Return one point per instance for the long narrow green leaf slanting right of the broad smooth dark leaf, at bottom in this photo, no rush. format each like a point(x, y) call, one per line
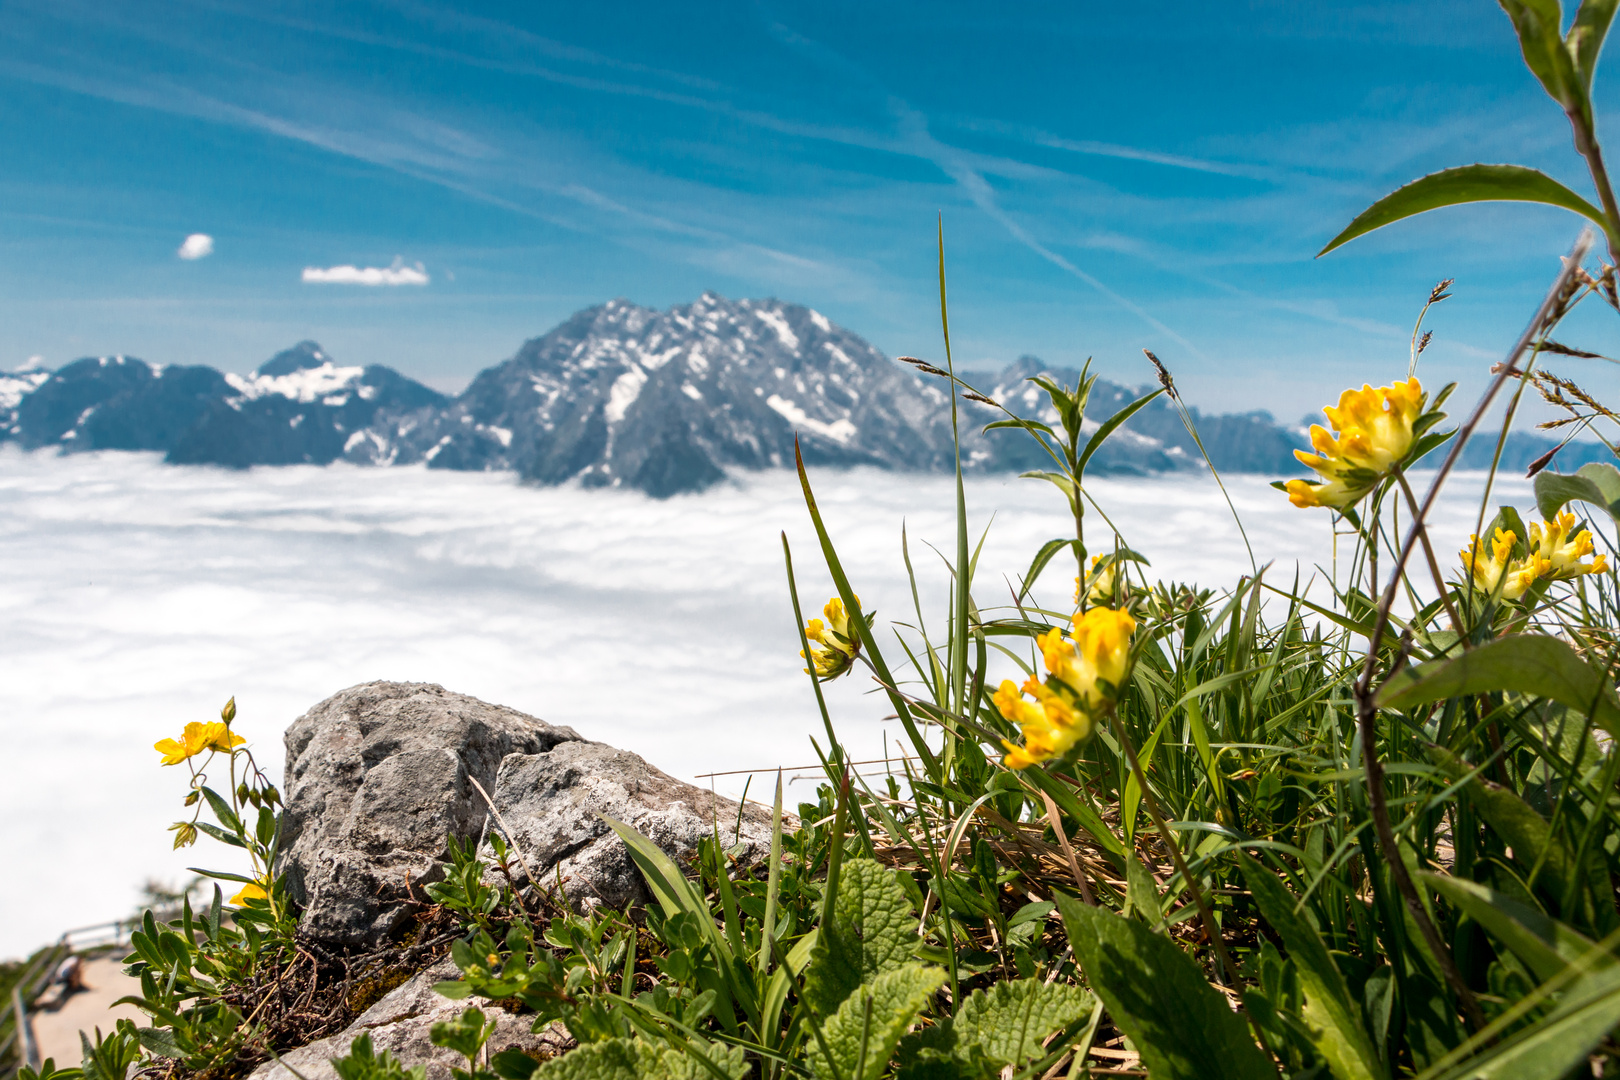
point(1331, 1014)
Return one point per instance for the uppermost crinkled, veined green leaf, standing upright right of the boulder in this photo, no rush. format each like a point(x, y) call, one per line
point(872, 930)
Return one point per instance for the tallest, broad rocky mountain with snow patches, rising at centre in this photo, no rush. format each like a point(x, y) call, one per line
point(667, 401)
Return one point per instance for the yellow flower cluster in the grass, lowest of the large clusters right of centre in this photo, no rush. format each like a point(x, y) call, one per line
point(1081, 679)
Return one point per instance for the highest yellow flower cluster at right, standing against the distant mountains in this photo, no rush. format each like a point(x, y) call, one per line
point(1375, 433)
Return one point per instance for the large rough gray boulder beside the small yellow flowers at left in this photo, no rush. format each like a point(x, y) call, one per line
point(382, 775)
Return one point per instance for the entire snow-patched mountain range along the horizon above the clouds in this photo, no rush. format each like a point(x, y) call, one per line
point(663, 402)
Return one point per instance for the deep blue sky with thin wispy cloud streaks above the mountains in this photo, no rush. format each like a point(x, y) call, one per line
point(1112, 177)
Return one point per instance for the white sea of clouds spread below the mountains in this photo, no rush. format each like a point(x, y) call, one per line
point(139, 597)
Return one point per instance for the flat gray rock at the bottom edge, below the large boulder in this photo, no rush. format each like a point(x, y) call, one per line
point(403, 1026)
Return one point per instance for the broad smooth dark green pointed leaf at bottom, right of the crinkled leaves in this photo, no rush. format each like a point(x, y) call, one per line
point(1159, 998)
